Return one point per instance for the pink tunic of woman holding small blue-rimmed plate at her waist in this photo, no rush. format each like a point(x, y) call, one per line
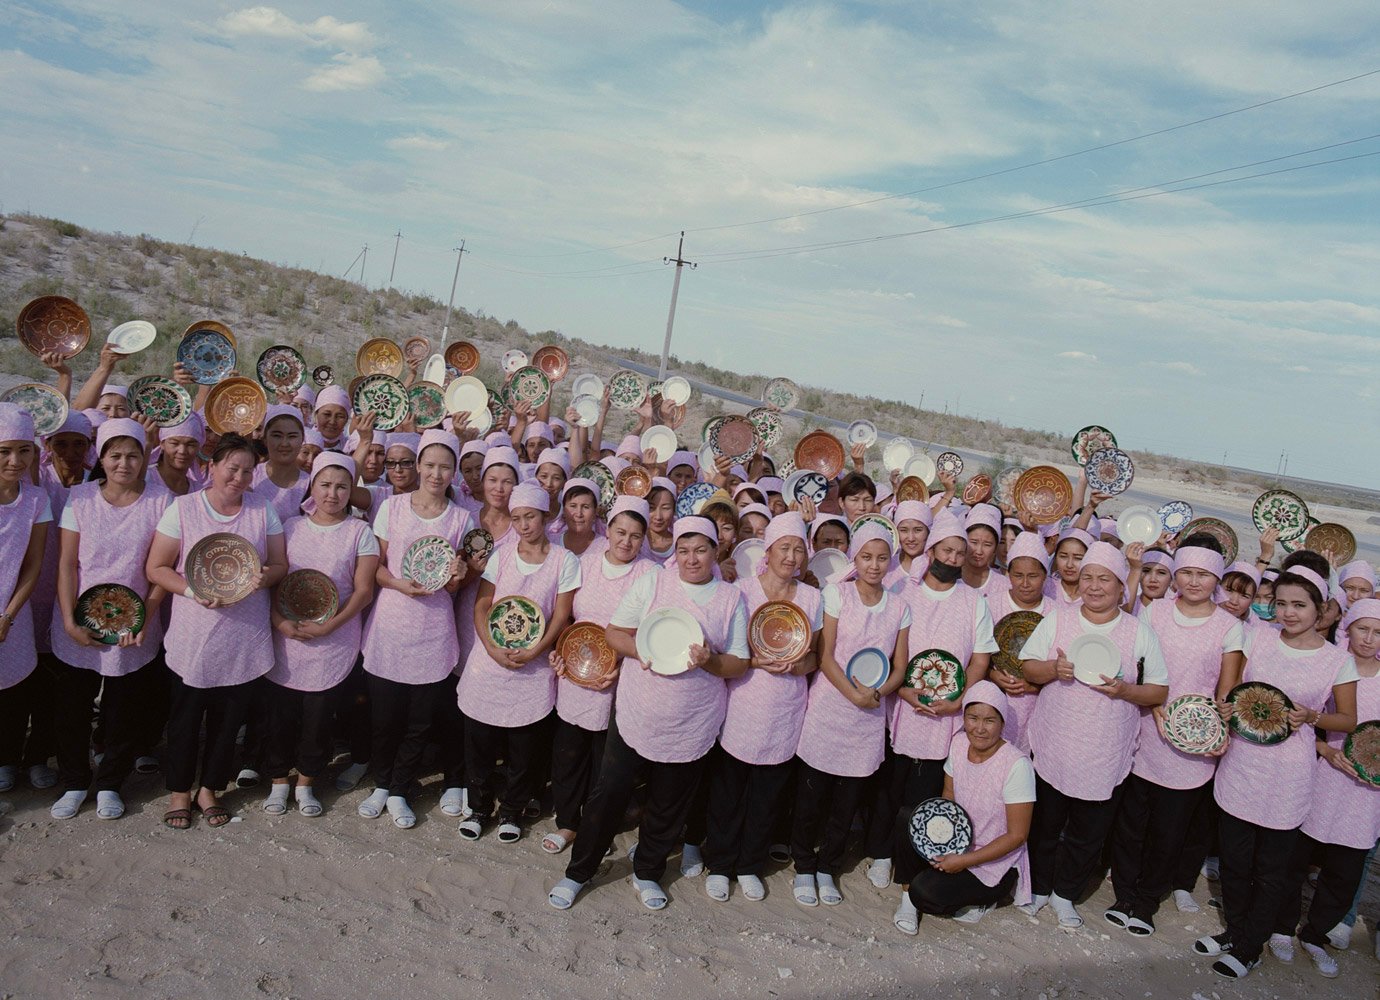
point(840, 737)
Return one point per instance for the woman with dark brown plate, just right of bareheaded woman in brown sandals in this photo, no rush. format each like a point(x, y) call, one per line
point(314, 659)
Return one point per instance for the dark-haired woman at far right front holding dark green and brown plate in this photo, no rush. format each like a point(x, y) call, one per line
point(1266, 791)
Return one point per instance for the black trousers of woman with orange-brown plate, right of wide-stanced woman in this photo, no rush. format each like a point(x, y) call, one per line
point(742, 812)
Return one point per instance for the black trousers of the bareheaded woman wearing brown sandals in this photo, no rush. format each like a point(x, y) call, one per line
point(223, 710)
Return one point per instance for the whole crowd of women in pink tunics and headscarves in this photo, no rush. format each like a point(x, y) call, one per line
point(733, 761)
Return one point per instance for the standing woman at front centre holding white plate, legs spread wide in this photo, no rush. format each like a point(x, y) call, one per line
point(666, 725)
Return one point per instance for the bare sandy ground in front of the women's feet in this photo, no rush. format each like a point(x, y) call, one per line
point(343, 907)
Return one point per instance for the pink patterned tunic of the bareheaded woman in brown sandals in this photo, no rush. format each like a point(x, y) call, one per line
point(220, 648)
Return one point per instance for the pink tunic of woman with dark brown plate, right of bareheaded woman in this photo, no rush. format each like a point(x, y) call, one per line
point(321, 664)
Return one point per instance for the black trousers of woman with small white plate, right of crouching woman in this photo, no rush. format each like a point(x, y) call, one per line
point(1067, 838)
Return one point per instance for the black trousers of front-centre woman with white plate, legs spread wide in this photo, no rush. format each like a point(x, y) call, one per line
point(670, 790)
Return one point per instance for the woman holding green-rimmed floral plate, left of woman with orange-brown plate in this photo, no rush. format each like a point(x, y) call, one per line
point(507, 694)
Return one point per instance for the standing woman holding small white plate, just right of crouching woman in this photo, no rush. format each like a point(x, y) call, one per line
point(1084, 736)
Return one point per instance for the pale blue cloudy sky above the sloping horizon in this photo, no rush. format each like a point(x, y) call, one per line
point(569, 143)
